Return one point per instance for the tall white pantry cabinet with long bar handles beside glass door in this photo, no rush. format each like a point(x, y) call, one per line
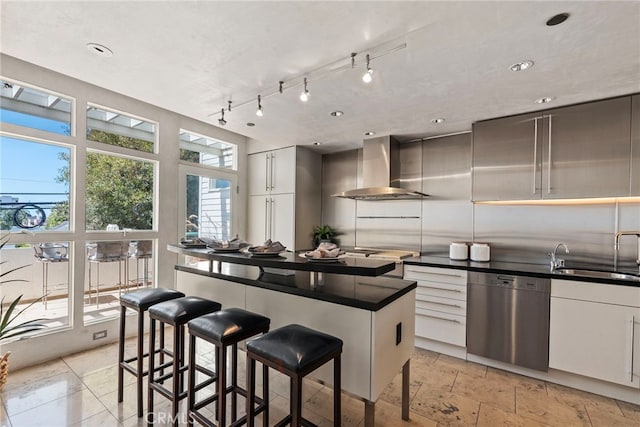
point(284, 196)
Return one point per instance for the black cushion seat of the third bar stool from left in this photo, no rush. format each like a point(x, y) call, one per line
point(229, 325)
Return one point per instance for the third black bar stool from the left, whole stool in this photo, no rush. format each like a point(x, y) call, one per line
point(223, 329)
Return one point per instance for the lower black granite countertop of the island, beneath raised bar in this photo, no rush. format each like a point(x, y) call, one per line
point(367, 293)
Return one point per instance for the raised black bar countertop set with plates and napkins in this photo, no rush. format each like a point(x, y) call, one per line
point(292, 261)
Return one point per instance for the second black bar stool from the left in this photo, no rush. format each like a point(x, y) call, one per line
point(177, 313)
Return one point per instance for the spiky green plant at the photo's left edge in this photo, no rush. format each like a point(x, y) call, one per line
point(8, 316)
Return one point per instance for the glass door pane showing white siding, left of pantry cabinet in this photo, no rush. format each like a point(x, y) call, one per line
point(208, 208)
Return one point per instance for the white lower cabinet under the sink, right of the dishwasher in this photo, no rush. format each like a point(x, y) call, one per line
point(595, 331)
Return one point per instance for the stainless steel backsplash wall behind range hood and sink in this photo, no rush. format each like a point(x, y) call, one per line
point(518, 233)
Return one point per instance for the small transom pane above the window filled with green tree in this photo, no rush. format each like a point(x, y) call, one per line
point(113, 128)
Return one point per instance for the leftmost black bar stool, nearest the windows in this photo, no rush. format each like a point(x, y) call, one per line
point(140, 301)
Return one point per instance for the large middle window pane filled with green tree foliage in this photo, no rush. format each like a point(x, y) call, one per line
point(119, 192)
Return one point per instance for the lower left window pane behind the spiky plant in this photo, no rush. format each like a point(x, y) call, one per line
point(43, 283)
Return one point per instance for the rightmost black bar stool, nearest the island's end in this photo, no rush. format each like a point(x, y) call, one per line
point(295, 351)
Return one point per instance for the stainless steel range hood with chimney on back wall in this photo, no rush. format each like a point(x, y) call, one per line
point(381, 173)
